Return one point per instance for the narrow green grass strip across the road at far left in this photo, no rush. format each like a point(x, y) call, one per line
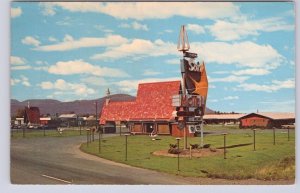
point(30, 133)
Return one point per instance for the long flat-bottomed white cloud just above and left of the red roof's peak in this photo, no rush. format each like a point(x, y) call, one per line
point(82, 67)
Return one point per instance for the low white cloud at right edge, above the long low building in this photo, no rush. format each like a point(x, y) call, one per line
point(274, 86)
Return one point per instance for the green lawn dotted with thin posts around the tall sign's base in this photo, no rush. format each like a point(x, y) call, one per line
point(269, 162)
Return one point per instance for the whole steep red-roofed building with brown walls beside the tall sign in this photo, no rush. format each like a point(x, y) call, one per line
point(150, 113)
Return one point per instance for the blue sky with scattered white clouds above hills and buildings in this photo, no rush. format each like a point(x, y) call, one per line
point(70, 51)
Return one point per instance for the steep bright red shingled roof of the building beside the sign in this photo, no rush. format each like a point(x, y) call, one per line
point(154, 101)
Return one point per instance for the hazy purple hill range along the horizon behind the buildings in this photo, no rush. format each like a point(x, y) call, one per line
point(80, 107)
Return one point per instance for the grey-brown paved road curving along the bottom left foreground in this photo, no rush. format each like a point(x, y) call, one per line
point(54, 160)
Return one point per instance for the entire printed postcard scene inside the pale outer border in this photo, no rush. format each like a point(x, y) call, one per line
point(152, 93)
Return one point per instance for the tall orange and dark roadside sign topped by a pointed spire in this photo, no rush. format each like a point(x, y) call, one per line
point(192, 100)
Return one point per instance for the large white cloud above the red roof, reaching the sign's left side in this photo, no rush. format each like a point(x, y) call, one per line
point(139, 48)
